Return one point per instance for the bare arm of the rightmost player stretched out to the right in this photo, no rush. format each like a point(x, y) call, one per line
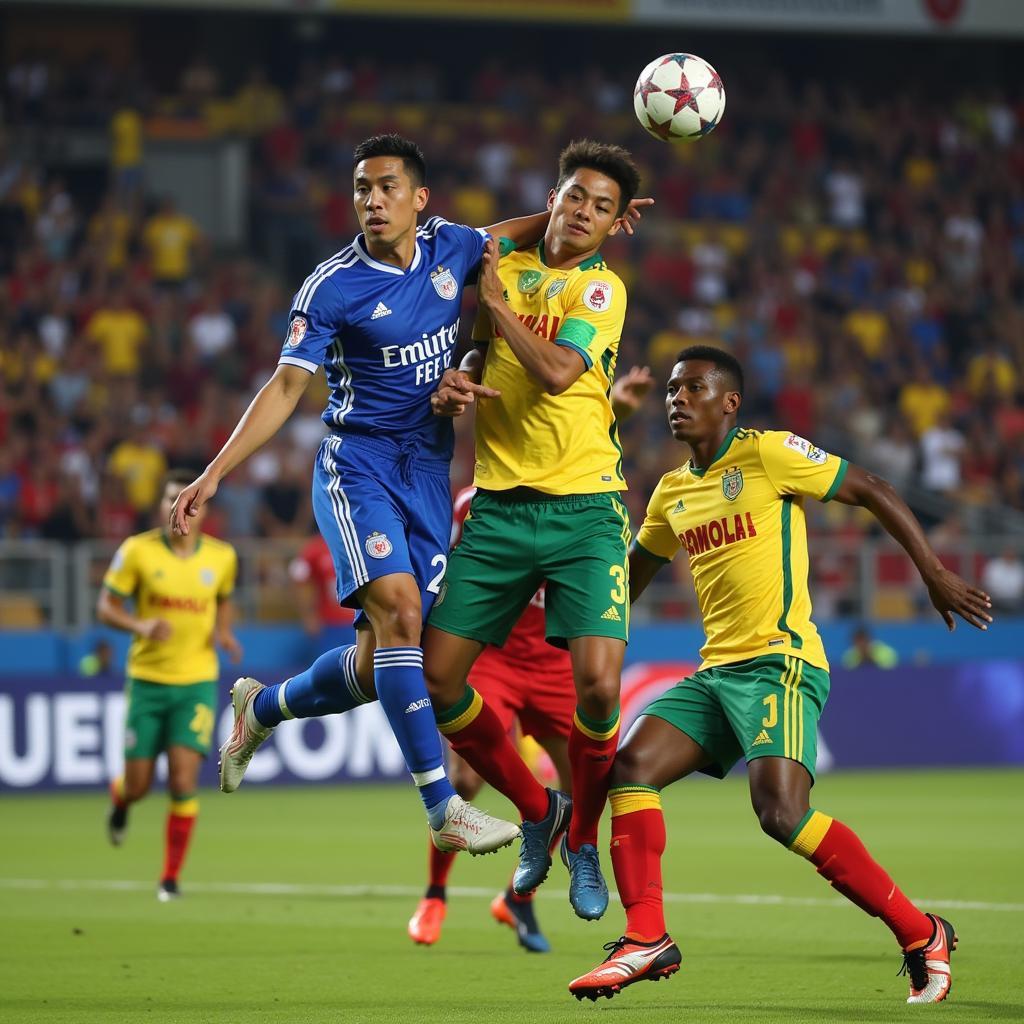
point(949, 592)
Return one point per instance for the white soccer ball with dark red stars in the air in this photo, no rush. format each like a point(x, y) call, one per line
point(679, 97)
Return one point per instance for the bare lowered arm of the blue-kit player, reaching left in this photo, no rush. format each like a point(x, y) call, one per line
point(267, 414)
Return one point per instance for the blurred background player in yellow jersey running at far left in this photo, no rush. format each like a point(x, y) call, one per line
point(182, 590)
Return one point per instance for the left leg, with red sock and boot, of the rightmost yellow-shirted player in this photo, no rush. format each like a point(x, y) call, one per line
point(656, 755)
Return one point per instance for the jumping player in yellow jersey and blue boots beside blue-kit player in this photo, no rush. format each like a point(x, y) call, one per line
point(548, 476)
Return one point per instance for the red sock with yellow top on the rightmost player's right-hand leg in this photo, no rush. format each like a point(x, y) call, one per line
point(842, 860)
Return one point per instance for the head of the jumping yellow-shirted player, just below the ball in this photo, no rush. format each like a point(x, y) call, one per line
point(596, 184)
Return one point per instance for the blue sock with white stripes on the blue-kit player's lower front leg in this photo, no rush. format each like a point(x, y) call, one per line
point(403, 694)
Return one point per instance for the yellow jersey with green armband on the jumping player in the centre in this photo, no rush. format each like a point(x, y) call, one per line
point(566, 444)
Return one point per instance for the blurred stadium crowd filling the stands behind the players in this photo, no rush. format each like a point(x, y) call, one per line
point(872, 282)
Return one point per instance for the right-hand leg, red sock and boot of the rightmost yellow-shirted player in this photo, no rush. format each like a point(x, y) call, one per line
point(781, 795)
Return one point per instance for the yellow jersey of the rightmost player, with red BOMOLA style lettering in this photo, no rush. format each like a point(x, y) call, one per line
point(741, 521)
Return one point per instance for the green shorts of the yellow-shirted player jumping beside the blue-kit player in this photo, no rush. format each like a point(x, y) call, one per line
point(515, 541)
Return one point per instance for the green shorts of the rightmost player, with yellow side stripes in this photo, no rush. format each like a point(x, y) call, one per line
point(765, 708)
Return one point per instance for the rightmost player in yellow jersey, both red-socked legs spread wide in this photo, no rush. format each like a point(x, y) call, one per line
point(737, 508)
